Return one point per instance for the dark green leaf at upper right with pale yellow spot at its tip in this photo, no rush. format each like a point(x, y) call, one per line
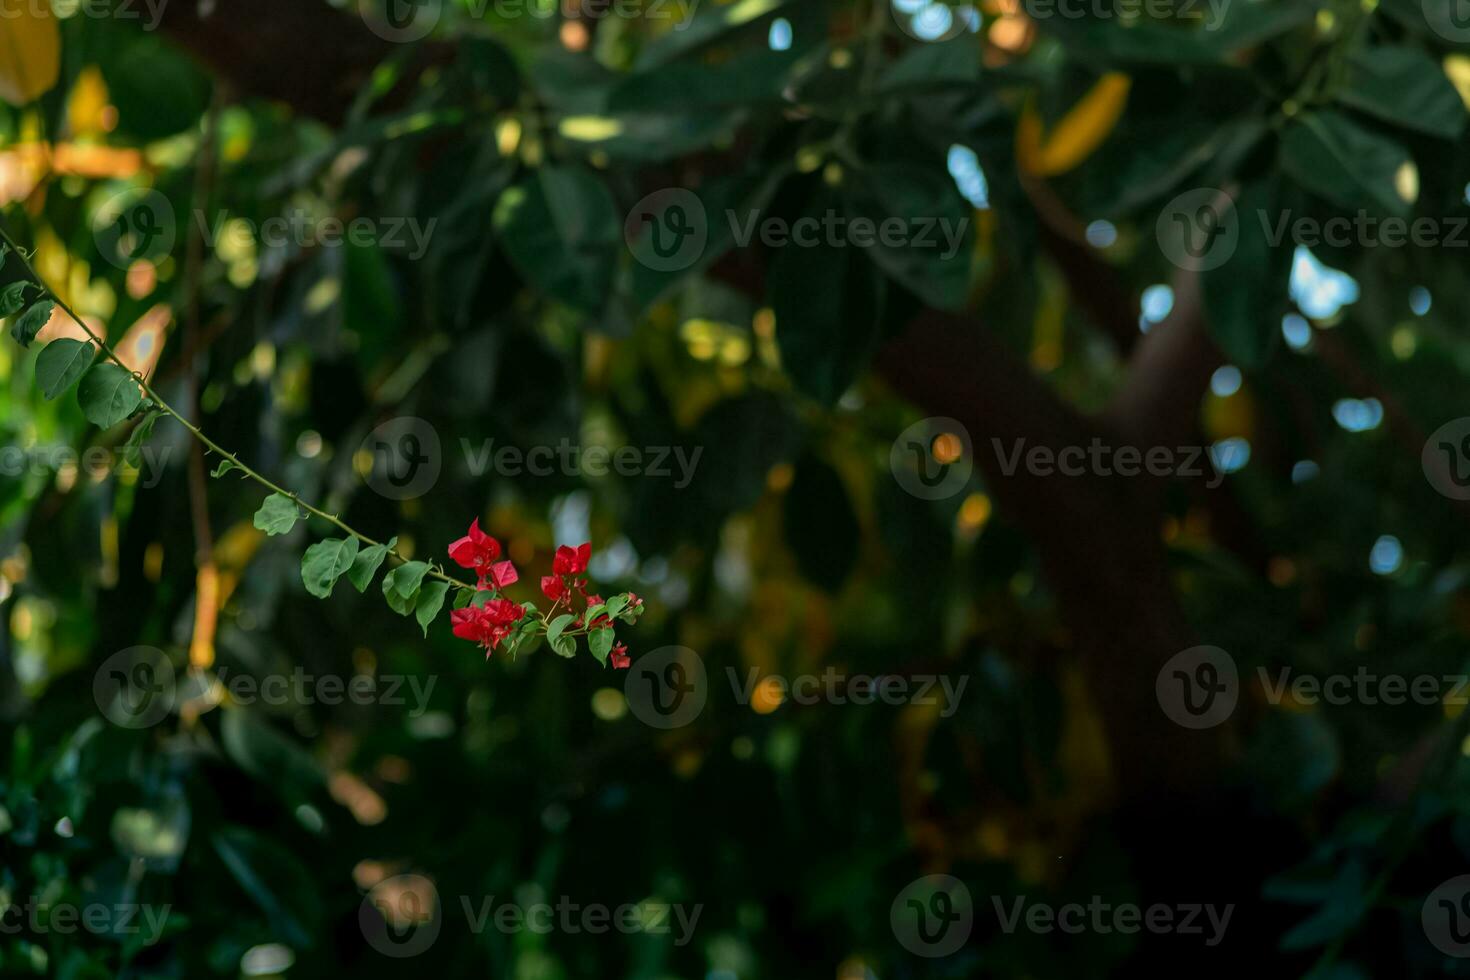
point(1338, 159)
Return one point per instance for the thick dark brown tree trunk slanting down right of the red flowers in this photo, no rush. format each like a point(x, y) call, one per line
point(1100, 546)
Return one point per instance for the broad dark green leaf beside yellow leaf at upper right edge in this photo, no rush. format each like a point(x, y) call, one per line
point(1406, 87)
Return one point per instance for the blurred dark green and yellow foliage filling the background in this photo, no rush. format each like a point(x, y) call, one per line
point(528, 323)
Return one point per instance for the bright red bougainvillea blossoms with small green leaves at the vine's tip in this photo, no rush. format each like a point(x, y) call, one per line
point(499, 624)
